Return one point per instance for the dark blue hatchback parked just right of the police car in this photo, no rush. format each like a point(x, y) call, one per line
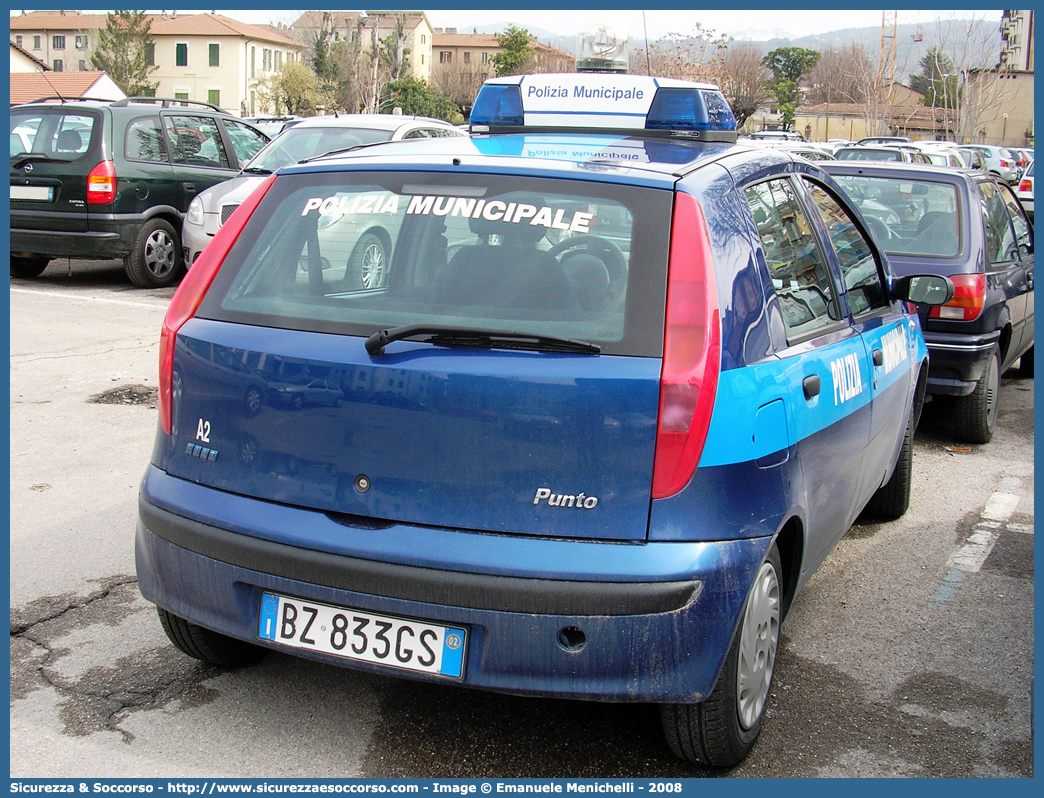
point(969, 226)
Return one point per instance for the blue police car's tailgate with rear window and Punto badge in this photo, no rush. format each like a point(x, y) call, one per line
point(277, 396)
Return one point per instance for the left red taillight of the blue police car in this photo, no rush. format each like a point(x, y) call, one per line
point(192, 292)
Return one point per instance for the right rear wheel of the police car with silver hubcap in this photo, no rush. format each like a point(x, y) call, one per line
point(713, 732)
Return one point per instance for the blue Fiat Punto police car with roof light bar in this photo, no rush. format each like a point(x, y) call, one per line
point(624, 389)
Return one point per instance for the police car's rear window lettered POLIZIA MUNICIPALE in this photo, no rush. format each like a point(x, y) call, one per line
point(357, 252)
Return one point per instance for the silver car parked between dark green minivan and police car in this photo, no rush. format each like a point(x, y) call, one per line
point(311, 138)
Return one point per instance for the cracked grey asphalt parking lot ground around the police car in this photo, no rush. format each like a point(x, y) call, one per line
point(910, 653)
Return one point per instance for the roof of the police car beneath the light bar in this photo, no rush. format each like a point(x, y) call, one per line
point(608, 157)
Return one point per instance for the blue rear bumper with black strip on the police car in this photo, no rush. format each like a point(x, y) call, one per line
point(658, 618)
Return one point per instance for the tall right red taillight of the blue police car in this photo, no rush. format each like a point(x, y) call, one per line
point(692, 351)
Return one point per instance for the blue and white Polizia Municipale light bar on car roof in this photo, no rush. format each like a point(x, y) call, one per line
point(604, 103)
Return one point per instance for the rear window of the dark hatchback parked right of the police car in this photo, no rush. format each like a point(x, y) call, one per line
point(909, 217)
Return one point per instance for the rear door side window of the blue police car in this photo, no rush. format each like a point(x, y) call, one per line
point(799, 274)
